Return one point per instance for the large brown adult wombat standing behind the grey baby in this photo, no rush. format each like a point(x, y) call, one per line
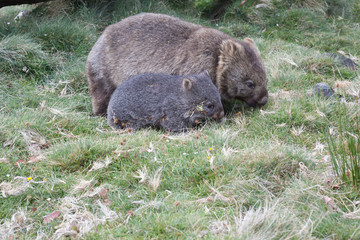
point(159, 43)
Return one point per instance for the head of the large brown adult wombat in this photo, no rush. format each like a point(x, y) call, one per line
point(241, 73)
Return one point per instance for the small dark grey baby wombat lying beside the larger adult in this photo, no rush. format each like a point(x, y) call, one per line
point(173, 103)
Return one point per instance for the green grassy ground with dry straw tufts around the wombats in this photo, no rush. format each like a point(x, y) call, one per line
point(261, 174)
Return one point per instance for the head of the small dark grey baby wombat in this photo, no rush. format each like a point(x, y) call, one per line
point(203, 98)
